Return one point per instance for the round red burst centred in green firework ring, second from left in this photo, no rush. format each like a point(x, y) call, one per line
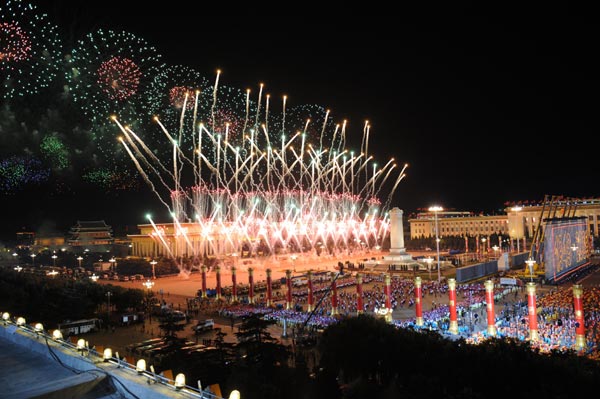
point(119, 78)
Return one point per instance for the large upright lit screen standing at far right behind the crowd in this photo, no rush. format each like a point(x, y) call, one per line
point(564, 246)
